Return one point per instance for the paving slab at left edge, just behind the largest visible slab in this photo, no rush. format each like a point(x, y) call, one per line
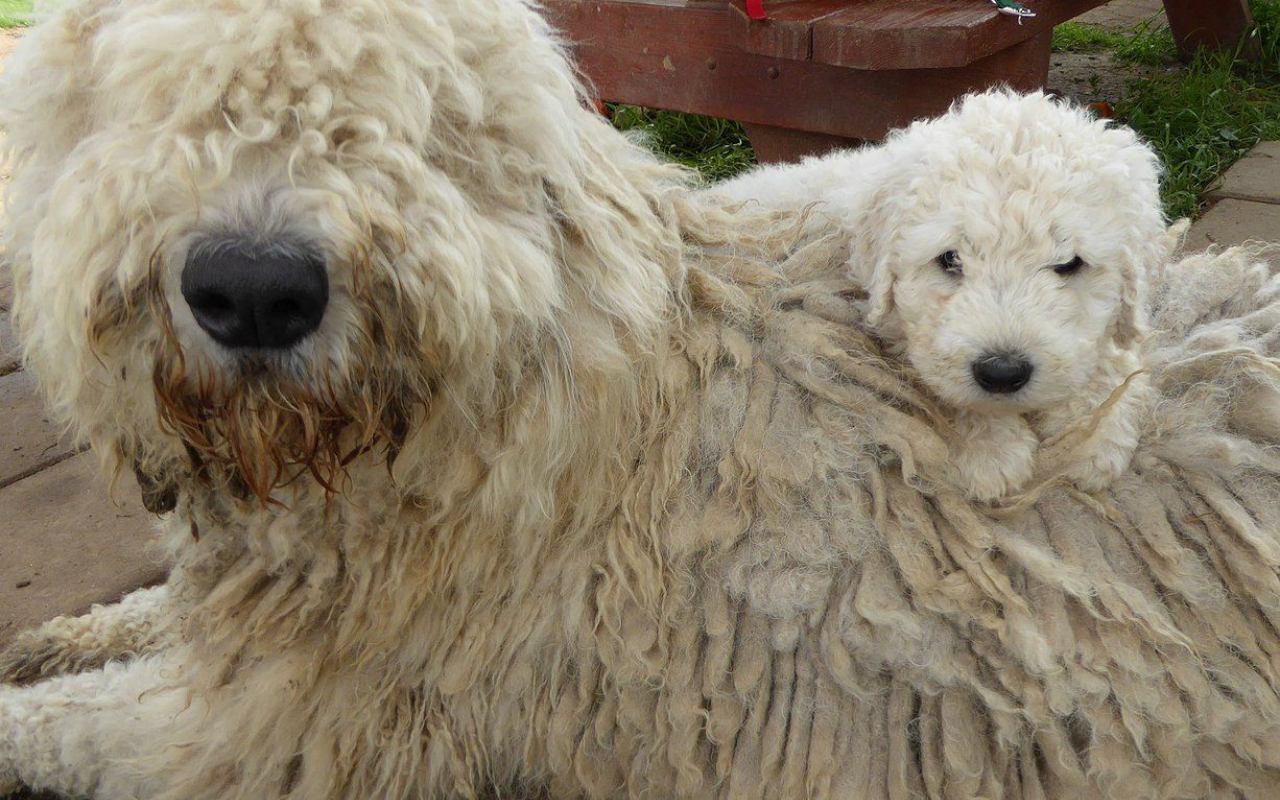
point(29, 438)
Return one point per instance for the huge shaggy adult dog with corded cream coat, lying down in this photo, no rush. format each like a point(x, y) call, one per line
point(493, 461)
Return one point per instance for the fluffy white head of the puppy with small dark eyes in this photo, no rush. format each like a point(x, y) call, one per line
point(1008, 248)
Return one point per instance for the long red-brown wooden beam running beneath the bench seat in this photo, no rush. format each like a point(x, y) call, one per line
point(641, 54)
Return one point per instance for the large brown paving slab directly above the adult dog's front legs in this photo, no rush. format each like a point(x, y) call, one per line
point(67, 546)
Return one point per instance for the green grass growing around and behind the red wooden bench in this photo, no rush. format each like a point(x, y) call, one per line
point(1201, 120)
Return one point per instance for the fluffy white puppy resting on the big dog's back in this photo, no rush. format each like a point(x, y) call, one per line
point(1004, 249)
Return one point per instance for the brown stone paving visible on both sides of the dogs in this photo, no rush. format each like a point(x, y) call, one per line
point(65, 545)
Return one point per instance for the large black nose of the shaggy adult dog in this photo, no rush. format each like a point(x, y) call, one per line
point(245, 299)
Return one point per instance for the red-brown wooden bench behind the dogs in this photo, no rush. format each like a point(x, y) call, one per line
point(822, 74)
